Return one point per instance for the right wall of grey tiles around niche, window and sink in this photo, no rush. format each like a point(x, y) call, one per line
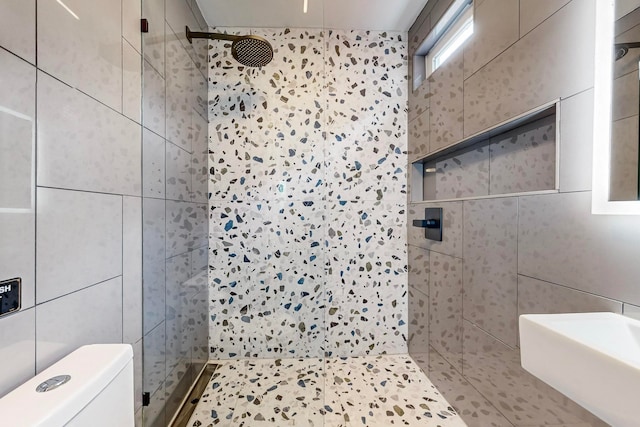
point(505, 256)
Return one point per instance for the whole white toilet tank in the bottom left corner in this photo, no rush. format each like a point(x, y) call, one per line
point(98, 394)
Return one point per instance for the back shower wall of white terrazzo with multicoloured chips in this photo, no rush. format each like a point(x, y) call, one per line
point(308, 196)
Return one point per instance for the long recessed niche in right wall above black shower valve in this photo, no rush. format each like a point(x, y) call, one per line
point(514, 157)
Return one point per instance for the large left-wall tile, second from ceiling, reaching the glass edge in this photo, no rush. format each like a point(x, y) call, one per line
point(83, 145)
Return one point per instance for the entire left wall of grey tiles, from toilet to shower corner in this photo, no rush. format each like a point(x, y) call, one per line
point(76, 178)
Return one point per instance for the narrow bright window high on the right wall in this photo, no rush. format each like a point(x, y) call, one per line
point(448, 35)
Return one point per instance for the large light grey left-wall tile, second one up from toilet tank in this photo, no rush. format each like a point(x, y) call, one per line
point(79, 241)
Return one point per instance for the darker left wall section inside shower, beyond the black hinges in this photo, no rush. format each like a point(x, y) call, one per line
point(175, 246)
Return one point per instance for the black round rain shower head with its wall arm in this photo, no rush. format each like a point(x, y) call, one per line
point(252, 51)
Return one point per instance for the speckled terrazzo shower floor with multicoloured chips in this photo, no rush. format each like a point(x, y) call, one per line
point(372, 391)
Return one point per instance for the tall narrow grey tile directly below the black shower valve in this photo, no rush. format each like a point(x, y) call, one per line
point(445, 308)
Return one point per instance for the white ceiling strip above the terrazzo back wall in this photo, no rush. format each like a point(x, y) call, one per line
point(389, 15)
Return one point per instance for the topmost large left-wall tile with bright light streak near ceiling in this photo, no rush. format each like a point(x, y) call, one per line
point(88, 54)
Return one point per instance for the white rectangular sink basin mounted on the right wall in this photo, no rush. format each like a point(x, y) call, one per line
point(593, 358)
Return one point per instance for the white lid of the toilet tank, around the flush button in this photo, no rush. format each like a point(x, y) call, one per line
point(91, 367)
